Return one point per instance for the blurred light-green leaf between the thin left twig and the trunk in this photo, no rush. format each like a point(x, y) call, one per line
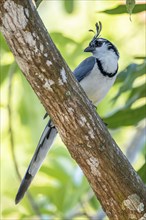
point(30, 115)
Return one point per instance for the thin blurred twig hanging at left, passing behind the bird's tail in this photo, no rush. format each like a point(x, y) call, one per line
point(10, 127)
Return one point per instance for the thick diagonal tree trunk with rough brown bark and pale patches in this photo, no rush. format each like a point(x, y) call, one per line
point(117, 186)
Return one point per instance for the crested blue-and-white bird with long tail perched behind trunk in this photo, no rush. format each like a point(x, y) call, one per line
point(96, 75)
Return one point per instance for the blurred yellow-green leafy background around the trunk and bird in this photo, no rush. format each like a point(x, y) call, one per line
point(60, 190)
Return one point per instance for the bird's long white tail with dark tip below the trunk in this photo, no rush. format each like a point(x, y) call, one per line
point(44, 145)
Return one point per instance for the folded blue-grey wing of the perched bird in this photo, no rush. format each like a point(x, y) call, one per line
point(84, 68)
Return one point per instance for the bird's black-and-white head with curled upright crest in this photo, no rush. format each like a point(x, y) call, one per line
point(101, 47)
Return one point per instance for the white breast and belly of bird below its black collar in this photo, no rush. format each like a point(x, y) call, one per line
point(97, 85)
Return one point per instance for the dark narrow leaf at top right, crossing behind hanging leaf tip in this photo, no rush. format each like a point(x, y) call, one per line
point(122, 9)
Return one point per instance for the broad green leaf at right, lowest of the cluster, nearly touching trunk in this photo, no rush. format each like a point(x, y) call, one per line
point(125, 117)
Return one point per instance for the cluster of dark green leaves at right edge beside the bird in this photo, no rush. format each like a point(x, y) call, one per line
point(126, 115)
